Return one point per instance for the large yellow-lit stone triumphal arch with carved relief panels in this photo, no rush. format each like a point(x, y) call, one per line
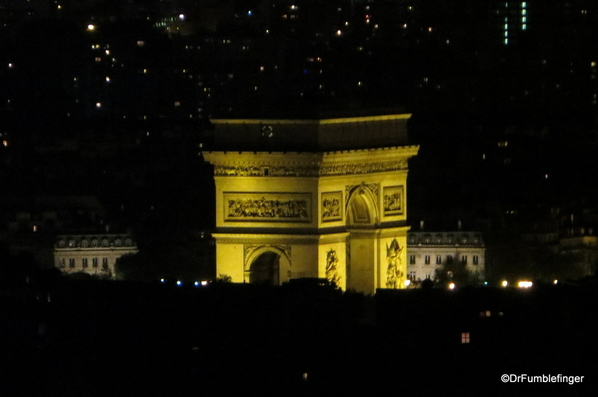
point(336, 209)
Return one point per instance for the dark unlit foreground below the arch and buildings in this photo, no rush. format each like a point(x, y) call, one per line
point(111, 338)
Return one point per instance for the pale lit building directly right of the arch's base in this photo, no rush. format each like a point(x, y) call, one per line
point(428, 251)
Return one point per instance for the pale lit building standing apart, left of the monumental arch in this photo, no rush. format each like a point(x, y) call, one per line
point(92, 254)
